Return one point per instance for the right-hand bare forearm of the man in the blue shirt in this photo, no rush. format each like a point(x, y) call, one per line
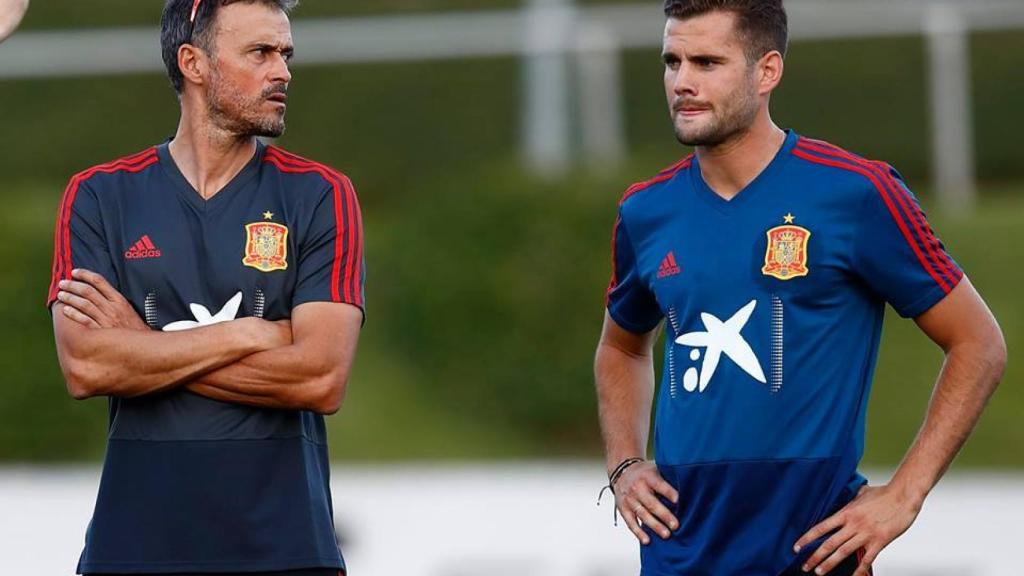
point(968, 380)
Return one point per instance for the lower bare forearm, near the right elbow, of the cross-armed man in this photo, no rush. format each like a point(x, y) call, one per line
point(293, 378)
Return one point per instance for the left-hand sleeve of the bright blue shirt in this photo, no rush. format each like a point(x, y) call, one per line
point(630, 302)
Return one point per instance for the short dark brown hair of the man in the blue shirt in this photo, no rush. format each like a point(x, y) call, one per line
point(762, 24)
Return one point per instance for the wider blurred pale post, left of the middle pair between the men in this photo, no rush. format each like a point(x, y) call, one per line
point(546, 119)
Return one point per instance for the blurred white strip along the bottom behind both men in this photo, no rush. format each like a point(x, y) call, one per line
point(535, 519)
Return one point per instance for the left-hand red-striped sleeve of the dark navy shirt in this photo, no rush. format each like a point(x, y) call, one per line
point(79, 238)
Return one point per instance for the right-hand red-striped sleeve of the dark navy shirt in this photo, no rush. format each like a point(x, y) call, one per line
point(330, 257)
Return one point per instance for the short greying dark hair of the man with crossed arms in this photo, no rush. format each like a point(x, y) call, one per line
point(177, 29)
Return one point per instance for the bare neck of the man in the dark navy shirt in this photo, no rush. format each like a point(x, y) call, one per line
point(208, 156)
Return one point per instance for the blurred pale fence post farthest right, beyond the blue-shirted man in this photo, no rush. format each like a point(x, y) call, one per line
point(953, 127)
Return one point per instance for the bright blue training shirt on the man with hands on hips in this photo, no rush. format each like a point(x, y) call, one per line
point(774, 305)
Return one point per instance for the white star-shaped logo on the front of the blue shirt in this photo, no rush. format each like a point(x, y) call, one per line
point(724, 338)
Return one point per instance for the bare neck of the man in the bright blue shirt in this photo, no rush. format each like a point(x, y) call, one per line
point(731, 167)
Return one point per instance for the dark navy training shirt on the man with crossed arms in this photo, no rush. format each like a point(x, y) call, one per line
point(192, 484)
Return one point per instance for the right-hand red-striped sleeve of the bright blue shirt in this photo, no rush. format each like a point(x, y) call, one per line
point(898, 254)
